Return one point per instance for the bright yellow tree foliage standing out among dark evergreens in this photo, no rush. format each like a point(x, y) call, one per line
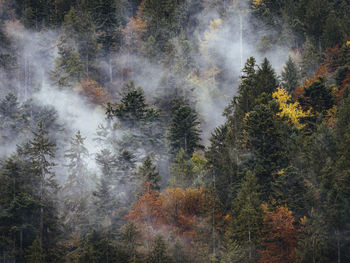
point(292, 111)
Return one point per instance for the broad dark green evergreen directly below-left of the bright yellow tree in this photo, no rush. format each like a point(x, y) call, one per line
point(267, 140)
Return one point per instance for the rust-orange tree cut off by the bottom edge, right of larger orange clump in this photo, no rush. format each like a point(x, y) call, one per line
point(279, 236)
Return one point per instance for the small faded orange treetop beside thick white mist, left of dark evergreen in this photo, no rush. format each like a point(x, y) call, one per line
point(91, 90)
